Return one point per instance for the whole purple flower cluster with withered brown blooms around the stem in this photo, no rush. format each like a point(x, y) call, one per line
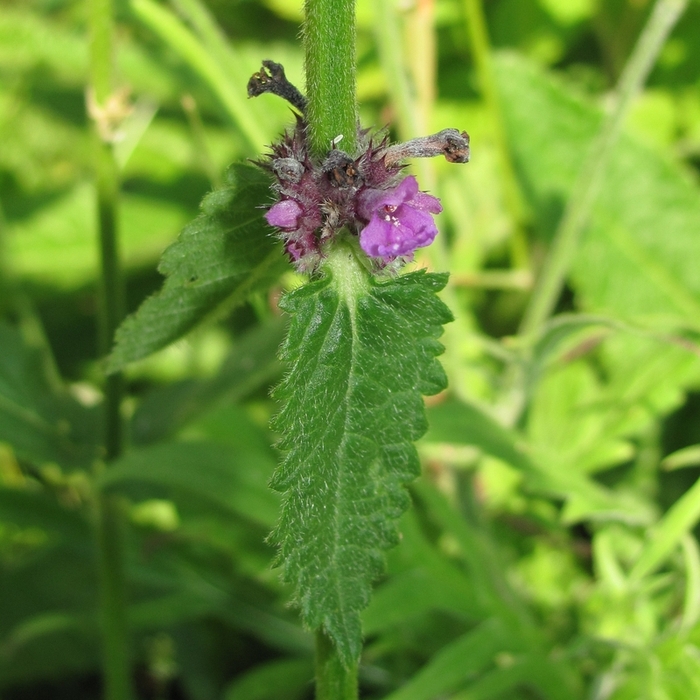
point(365, 193)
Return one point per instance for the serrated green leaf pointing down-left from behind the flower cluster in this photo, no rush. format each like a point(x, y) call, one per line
point(226, 253)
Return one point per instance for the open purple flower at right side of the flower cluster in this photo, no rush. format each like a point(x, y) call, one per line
point(400, 219)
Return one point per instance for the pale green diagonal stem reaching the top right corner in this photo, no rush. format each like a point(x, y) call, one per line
point(663, 17)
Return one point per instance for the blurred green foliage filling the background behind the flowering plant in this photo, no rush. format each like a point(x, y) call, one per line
point(550, 553)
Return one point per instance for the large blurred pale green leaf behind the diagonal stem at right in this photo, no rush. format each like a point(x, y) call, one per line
point(638, 258)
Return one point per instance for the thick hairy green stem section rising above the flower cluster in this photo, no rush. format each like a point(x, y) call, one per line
point(329, 46)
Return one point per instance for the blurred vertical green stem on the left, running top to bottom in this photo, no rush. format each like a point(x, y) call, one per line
point(113, 608)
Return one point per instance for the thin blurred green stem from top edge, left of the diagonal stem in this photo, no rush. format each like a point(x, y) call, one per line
point(512, 193)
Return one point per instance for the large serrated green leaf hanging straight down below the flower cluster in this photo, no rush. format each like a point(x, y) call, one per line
point(361, 353)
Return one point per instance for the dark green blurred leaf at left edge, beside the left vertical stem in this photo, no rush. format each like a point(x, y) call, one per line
point(38, 418)
